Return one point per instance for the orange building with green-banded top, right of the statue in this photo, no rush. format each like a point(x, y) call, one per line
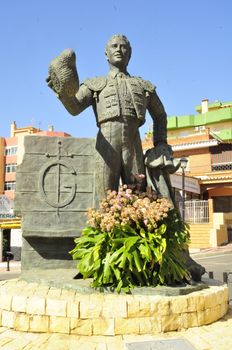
point(205, 139)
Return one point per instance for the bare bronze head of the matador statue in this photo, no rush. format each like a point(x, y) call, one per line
point(118, 51)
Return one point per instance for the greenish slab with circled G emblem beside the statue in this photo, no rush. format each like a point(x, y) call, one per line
point(55, 187)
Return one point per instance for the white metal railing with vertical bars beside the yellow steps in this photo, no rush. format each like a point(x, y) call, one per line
point(196, 211)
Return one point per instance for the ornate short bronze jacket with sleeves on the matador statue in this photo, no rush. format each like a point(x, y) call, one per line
point(119, 96)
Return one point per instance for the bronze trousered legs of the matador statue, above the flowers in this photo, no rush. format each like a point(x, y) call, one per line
point(119, 154)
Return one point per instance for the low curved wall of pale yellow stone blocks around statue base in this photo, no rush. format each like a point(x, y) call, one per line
point(32, 307)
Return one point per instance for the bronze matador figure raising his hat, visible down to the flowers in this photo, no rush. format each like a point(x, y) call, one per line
point(119, 101)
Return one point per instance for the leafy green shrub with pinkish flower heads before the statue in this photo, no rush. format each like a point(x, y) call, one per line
point(134, 239)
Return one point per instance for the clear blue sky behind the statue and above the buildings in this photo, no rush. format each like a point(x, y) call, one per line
point(182, 46)
